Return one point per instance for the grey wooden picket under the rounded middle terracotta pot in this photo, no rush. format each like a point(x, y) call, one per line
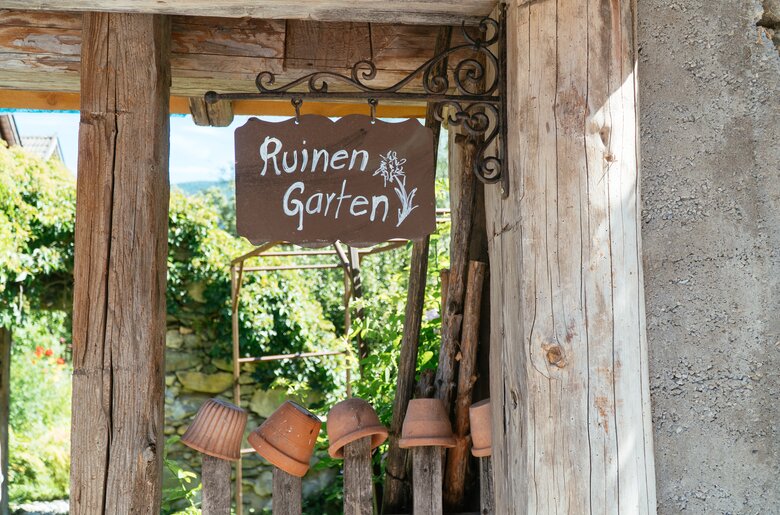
point(358, 488)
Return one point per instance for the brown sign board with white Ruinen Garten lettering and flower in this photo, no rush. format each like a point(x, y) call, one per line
point(321, 180)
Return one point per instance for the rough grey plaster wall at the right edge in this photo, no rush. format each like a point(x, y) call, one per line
point(709, 100)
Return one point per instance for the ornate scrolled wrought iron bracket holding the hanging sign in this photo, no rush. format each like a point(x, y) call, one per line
point(477, 102)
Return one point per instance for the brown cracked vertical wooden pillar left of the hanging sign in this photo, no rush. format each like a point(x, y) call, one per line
point(120, 265)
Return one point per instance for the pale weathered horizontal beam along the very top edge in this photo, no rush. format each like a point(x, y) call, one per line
point(433, 12)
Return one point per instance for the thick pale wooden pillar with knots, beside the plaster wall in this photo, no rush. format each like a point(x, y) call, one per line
point(569, 376)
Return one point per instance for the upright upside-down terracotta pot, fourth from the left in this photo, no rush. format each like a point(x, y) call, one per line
point(426, 424)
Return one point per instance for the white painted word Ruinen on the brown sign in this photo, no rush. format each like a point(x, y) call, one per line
point(272, 156)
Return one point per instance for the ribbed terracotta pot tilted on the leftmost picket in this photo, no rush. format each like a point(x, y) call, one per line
point(217, 430)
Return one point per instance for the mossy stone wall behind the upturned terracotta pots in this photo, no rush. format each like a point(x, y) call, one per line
point(191, 378)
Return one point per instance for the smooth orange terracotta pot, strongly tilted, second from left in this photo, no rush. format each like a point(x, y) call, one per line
point(287, 438)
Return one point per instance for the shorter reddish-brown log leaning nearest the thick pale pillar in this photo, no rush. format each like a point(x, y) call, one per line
point(458, 456)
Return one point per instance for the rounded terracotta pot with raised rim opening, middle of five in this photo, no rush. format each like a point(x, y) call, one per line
point(350, 420)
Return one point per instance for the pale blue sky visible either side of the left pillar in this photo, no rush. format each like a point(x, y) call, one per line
point(197, 153)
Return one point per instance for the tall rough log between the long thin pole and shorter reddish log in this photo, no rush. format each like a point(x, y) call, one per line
point(462, 179)
